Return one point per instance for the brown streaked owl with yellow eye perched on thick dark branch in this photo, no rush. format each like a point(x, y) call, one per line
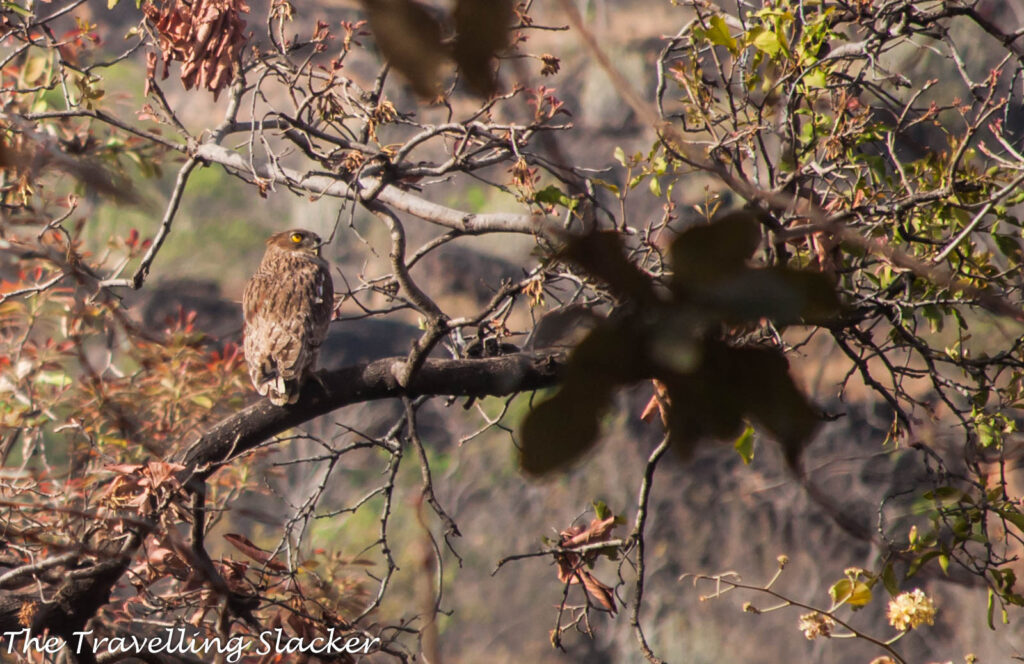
point(288, 306)
